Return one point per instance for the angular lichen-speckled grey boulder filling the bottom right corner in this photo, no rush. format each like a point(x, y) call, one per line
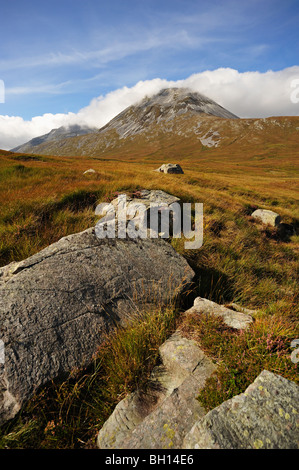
point(264, 417)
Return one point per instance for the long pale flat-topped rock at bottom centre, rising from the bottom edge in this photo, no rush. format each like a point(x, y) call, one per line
point(161, 417)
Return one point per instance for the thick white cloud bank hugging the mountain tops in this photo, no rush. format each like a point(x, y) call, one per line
point(247, 94)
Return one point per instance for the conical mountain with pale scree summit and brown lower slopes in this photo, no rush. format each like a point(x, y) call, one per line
point(175, 123)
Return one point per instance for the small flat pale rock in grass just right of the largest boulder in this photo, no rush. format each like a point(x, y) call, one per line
point(232, 318)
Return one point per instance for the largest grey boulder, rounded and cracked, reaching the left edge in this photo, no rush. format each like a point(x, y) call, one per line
point(56, 305)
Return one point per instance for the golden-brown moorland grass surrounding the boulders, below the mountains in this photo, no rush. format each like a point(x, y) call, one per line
point(45, 198)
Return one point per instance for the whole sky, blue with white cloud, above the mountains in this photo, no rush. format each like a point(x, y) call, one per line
point(72, 61)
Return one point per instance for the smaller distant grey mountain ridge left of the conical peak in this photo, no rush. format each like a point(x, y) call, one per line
point(55, 135)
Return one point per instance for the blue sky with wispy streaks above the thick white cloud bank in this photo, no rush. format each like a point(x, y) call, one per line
point(56, 56)
